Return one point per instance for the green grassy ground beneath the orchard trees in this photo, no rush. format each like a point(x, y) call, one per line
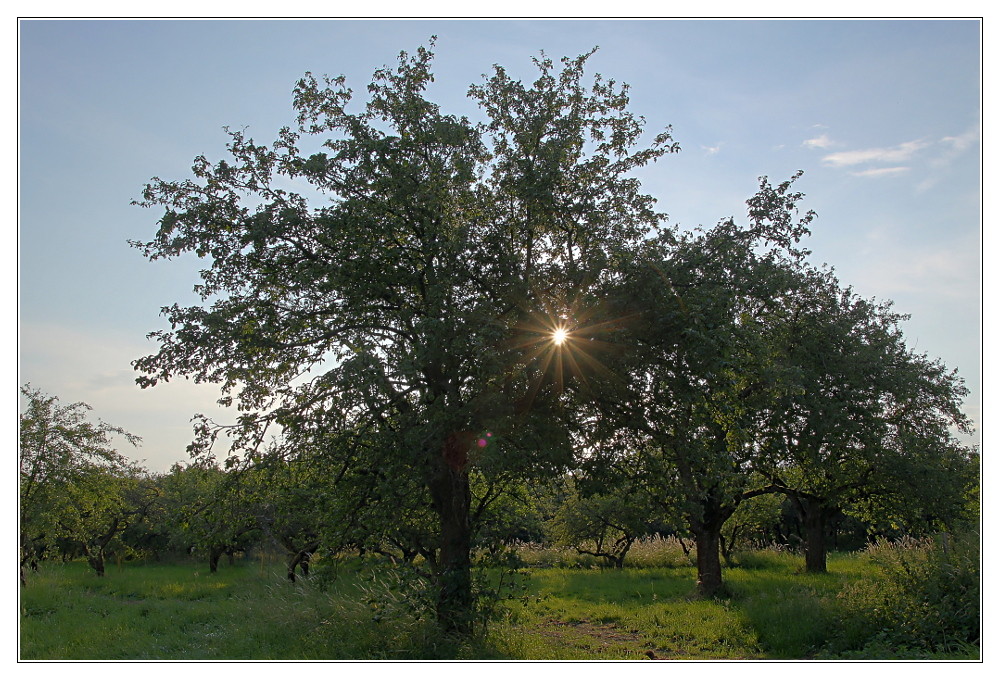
point(247, 611)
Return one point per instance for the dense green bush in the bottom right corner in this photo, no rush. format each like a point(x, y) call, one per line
point(922, 599)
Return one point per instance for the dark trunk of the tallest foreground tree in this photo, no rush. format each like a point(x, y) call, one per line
point(449, 487)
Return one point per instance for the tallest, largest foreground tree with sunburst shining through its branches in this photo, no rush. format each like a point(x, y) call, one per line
point(425, 291)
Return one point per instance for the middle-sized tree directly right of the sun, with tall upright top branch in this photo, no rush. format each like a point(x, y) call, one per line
point(702, 366)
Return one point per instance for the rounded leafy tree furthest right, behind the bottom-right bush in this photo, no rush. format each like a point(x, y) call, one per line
point(870, 423)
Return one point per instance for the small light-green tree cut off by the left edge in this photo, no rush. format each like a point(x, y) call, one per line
point(73, 482)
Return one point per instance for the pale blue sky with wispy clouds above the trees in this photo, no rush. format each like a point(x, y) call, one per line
point(883, 117)
